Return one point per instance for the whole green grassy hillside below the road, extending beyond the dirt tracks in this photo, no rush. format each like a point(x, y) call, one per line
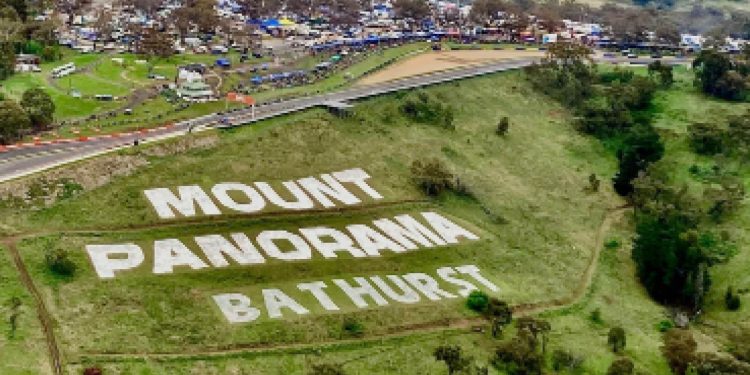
point(542, 237)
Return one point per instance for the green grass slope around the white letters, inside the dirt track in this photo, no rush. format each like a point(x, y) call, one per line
point(533, 178)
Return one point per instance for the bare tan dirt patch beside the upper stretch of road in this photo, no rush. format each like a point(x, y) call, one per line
point(442, 60)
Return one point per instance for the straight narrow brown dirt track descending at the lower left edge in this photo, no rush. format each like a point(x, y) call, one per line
point(41, 308)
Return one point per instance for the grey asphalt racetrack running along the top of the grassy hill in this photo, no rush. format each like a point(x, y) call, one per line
point(19, 162)
